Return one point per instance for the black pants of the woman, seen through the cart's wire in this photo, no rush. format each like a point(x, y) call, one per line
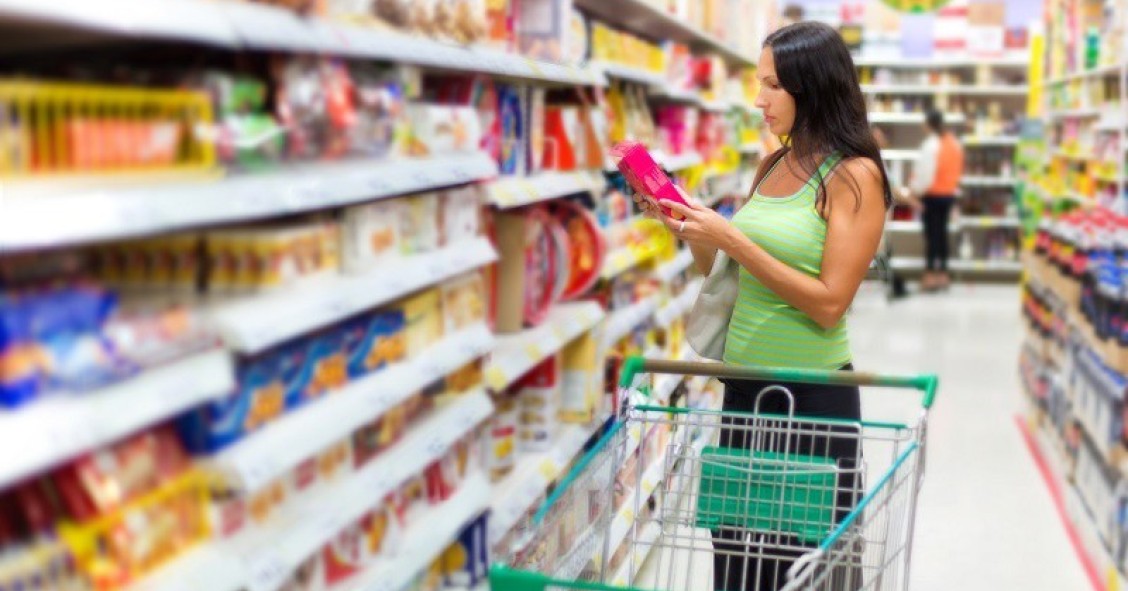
point(736, 567)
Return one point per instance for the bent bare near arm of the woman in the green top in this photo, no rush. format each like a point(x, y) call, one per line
point(853, 235)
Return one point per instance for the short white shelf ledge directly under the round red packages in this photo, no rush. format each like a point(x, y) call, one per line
point(518, 354)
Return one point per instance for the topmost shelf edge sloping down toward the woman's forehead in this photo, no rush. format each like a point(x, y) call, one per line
point(646, 20)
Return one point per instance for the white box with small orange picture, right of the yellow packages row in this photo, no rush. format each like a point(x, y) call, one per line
point(371, 235)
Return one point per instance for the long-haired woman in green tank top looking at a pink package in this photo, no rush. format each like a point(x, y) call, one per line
point(805, 243)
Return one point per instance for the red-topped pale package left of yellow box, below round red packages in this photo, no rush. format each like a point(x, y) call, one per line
point(539, 395)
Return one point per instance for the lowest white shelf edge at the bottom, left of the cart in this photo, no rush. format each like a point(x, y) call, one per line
point(426, 543)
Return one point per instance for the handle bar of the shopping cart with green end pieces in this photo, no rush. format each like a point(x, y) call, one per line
point(634, 366)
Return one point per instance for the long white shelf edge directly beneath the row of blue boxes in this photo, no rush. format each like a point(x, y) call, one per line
point(266, 455)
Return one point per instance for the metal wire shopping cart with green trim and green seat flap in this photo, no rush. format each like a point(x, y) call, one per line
point(763, 501)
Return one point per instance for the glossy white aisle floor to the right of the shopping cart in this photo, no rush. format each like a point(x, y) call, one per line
point(986, 521)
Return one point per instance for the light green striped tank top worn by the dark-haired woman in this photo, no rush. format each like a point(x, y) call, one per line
point(766, 331)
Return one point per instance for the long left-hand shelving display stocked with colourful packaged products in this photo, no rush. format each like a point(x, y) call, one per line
point(320, 225)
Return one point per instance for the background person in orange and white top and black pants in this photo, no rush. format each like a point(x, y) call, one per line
point(936, 181)
